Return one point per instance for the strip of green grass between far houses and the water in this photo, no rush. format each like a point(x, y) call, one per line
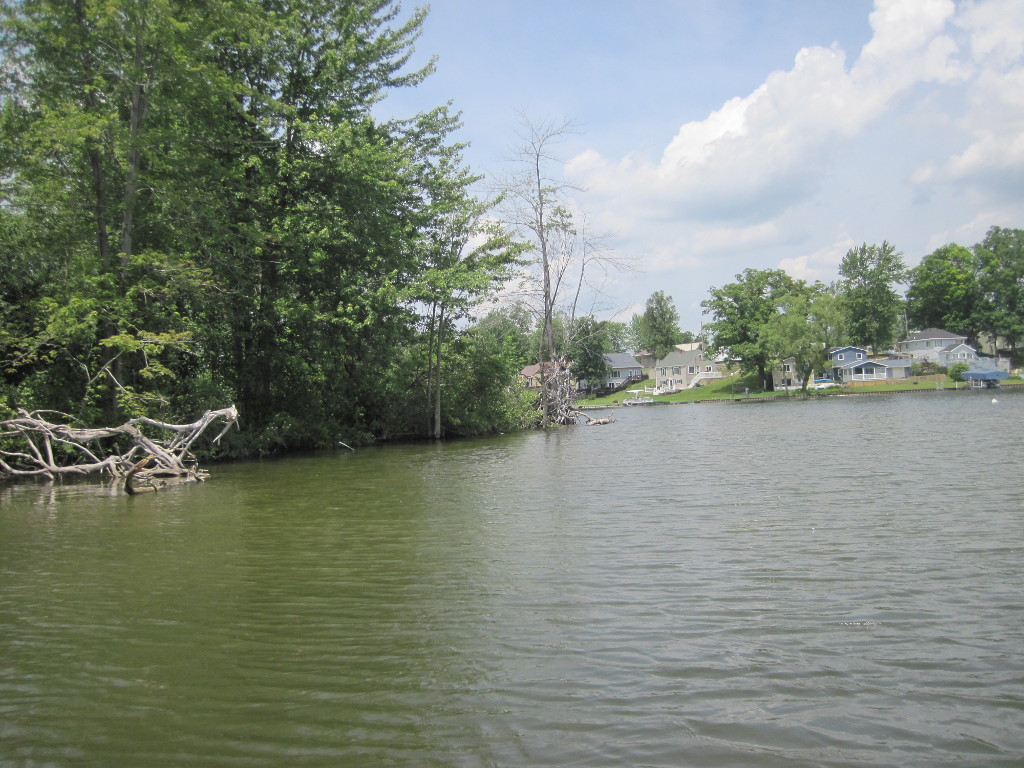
point(740, 388)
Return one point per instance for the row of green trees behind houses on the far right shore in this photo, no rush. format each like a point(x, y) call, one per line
point(766, 316)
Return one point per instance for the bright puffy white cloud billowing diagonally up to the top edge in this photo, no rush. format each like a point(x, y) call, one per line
point(759, 155)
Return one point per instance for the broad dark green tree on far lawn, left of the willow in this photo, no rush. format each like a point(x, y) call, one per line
point(741, 313)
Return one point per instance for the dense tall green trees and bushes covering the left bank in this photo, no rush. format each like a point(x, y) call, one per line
point(200, 208)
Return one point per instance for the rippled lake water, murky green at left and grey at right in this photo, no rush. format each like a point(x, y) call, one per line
point(835, 583)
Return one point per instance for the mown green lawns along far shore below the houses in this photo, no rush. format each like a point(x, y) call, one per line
point(733, 388)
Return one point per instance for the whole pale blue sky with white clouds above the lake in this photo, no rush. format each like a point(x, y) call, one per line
point(715, 136)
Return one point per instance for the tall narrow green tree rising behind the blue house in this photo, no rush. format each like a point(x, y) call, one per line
point(873, 306)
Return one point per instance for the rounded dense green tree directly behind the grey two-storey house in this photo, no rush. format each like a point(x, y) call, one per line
point(944, 291)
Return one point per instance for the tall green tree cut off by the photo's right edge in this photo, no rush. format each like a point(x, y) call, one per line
point(1000, 264)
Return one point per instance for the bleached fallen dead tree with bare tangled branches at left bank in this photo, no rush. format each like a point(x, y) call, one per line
point(32, 446)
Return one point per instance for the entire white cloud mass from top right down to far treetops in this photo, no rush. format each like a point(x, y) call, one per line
point(922, 131)
